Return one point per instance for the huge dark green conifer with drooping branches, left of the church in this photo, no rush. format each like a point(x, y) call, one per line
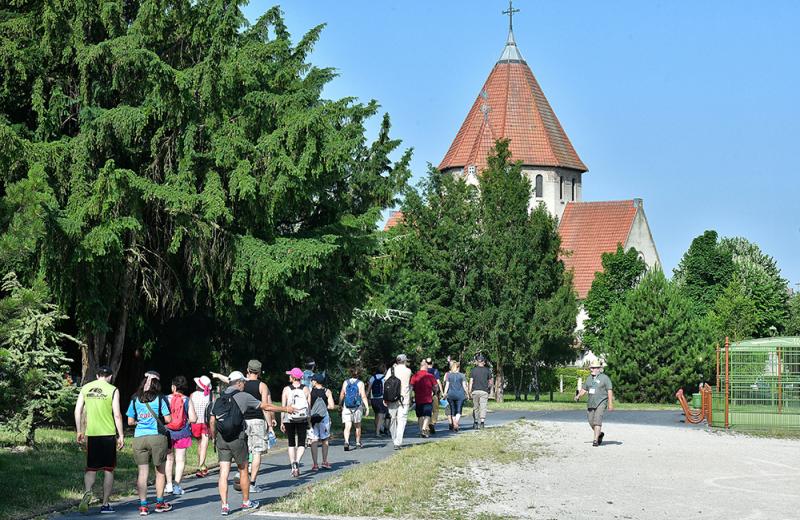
point(164, 164)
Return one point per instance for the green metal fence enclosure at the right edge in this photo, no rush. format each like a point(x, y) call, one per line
point(758, 385)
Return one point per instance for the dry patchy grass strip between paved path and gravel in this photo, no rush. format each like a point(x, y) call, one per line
point(415, 476)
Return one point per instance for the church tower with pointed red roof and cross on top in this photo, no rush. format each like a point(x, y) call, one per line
point(511, 105)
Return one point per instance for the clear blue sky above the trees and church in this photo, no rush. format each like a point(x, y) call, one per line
point(692, 106)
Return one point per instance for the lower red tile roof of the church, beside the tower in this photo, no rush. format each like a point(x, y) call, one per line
point(589, 229)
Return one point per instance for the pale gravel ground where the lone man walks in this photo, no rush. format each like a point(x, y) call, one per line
point(644, 472)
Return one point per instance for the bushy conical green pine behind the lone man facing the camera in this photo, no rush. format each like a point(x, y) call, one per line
point(656, 342)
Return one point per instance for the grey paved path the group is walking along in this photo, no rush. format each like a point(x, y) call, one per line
point(202, 500)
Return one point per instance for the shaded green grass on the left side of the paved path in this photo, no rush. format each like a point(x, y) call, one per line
point(50, 477)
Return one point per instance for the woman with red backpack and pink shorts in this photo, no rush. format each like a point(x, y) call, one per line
point(180, 432)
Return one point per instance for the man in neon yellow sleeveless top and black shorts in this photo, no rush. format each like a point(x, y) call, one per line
point(103, 435)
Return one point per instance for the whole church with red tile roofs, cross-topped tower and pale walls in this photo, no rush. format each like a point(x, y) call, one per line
point(511, 104)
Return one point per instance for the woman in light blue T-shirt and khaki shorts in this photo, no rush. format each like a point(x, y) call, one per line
point(149, 412)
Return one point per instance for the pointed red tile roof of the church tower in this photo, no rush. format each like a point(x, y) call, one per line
point(512, 105)
